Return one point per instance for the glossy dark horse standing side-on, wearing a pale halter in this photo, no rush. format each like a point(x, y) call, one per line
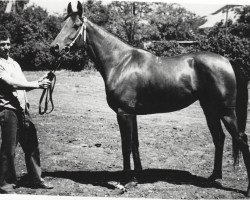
point(138, 82)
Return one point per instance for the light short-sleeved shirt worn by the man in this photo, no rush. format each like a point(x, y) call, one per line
point(10, 97)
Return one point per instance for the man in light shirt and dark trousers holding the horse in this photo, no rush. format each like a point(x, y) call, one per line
point(15, 122)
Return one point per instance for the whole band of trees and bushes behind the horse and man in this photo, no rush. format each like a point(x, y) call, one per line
point(158, 25)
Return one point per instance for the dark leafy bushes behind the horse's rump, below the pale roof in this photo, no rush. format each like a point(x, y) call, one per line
point(234, 45)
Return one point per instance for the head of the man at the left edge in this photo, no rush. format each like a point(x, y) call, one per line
point(4, 42)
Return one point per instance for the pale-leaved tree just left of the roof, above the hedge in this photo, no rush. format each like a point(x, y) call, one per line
point(174, 22)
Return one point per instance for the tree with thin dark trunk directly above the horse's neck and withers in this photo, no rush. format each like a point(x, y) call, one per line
point(128, 20)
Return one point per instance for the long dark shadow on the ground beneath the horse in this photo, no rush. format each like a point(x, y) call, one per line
point(102, 178)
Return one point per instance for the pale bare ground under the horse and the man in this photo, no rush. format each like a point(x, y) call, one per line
point(81, 148)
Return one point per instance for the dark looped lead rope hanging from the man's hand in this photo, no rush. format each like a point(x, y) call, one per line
point(48, 92)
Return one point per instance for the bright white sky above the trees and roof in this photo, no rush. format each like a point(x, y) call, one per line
point(201, 9)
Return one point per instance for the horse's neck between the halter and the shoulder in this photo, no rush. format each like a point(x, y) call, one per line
point(106, 50)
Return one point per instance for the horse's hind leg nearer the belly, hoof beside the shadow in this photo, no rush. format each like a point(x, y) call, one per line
point(214, 125)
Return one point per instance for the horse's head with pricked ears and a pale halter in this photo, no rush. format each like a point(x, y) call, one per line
point(72, 31)
